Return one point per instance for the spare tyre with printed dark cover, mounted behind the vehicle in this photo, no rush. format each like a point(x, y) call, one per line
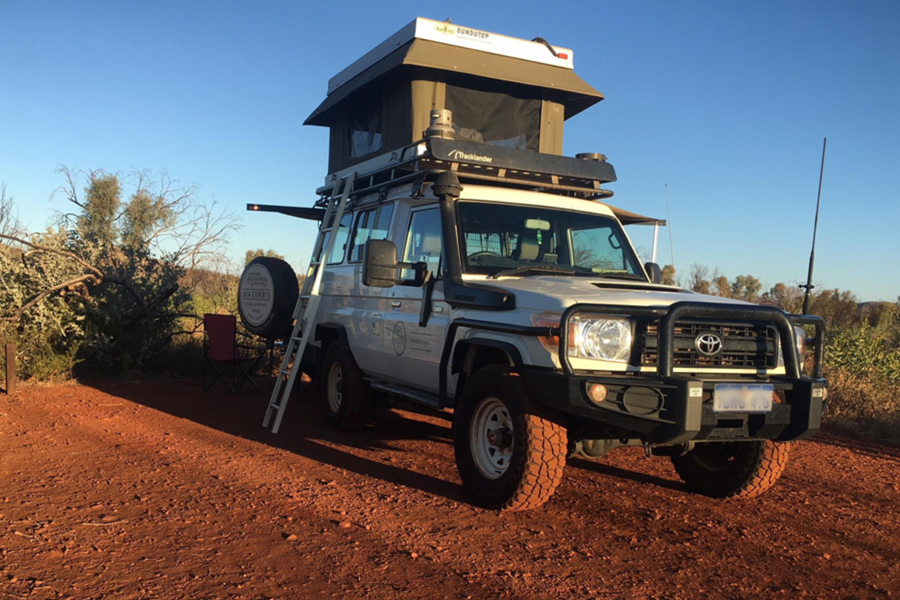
point(267, 295)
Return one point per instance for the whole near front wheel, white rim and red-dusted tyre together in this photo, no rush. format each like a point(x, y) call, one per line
point(510, 453)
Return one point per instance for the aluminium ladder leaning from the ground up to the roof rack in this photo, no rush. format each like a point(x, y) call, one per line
point(308, 305)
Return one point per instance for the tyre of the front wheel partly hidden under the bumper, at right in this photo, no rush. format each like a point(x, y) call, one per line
point(755, 474)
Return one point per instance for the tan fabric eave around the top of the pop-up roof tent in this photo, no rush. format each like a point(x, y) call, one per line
point(562, 85)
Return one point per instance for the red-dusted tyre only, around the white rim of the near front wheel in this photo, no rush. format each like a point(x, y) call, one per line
point(537, 470)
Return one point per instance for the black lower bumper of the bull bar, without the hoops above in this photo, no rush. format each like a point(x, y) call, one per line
point(674, 410)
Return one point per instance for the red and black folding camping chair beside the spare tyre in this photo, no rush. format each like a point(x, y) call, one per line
point(224, 353)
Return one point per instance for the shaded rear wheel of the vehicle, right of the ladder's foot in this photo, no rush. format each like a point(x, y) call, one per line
point(346, 392)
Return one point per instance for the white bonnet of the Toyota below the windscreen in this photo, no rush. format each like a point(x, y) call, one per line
point(555, 293)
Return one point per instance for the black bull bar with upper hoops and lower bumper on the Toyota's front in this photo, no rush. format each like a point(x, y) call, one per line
point(669, 408)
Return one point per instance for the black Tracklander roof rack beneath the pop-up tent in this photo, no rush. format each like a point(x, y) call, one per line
point(482, 163)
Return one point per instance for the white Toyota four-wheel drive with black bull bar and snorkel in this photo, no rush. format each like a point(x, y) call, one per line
point(487, 278)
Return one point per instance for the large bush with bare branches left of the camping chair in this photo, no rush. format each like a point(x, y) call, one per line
point(103, 291)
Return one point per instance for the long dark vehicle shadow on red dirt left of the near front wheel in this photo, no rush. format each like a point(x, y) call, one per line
point(302, 431)
